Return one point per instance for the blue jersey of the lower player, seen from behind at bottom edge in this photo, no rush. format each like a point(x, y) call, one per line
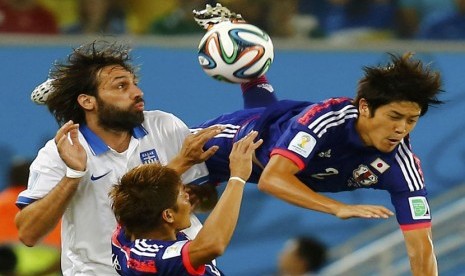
point(155, 257)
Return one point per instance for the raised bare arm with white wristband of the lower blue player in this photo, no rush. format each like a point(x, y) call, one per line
point(217, 231)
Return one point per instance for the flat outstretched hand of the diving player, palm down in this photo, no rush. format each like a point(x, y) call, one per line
point(363, 211)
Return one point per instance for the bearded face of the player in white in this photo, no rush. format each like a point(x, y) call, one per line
point(119, 101)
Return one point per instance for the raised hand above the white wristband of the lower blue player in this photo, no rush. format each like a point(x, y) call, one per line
point(240, 159)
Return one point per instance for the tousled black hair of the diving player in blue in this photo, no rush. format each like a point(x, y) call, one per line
point(403, 79)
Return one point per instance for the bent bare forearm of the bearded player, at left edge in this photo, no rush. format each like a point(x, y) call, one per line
point(36, 220)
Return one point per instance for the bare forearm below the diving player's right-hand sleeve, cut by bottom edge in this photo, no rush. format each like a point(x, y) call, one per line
point(419, 243)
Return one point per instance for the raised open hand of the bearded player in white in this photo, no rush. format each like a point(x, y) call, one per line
point(70, 149)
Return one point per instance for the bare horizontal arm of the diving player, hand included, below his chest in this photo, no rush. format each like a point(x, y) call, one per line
point(279, 180)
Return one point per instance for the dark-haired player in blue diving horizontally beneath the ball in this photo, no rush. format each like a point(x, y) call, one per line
point(342, 144)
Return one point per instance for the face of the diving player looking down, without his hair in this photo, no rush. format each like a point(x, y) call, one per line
point(389, 125)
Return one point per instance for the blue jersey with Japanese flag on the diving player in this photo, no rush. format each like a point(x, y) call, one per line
point(321, 139)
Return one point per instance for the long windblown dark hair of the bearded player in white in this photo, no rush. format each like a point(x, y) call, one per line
point(79, 75)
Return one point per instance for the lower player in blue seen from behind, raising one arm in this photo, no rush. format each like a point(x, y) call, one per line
point(152, 208)
